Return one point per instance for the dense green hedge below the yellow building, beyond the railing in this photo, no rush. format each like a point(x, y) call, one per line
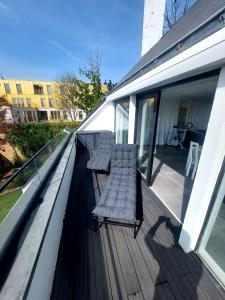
point(30, 138)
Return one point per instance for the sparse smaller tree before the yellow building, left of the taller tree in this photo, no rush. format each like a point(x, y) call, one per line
point(66, 93)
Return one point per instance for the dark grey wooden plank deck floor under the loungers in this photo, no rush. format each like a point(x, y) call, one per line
point(110, 264)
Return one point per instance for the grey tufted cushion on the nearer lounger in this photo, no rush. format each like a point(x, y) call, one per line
point(118, 199)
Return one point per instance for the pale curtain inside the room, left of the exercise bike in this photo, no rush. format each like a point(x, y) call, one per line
point(168, 115)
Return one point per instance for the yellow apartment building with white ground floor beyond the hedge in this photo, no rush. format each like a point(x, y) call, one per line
point(33, 101)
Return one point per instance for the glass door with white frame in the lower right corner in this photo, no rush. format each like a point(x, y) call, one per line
point(212, 247)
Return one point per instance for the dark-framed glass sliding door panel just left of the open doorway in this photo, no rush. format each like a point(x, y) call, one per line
point(147, 112)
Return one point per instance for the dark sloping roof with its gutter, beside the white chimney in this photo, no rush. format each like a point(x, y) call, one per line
point(186, 31)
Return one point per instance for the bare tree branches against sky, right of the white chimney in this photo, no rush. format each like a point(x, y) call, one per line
point(175, 10)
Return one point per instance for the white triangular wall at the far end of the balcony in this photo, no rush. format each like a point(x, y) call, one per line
point(102, 119)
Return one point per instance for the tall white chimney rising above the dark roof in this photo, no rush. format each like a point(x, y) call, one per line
point(152, 23)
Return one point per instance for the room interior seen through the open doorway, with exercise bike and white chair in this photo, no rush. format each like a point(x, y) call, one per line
point(182, 124)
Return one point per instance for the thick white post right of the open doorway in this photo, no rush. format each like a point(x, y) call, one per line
point(209, 167)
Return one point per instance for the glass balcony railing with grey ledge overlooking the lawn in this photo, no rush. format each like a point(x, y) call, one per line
point(18, 193)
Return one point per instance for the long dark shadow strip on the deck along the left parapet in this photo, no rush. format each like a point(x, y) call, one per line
point(81, 270)
